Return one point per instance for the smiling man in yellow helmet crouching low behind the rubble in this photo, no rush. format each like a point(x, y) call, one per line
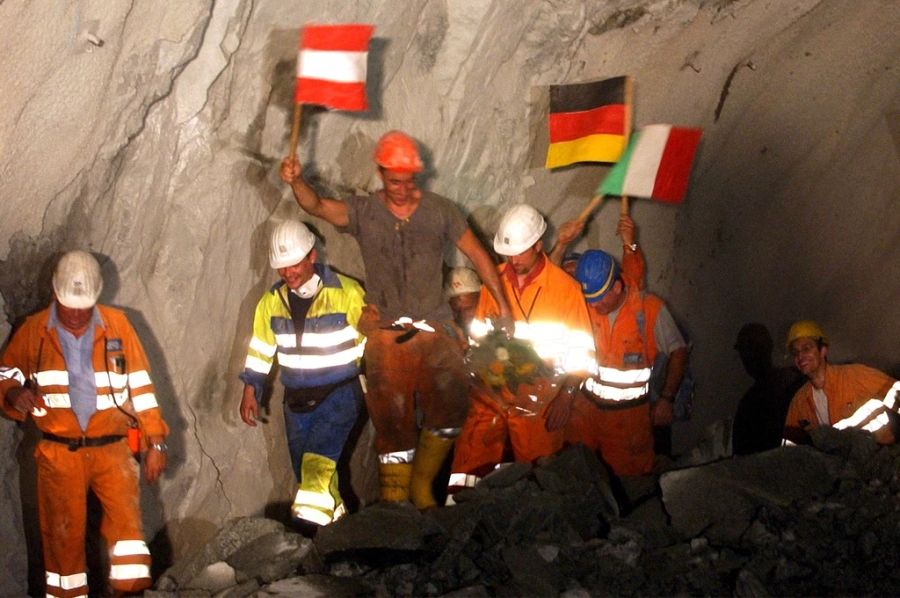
point(843, 396)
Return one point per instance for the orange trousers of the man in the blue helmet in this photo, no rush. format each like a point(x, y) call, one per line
point(623, 437)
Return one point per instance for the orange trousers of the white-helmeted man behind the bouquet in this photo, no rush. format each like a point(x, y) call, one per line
point(488, 427)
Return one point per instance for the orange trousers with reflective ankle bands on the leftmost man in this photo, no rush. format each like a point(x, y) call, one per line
point(64, 478)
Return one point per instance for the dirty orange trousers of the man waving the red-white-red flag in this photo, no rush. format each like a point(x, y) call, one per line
point(418, 384)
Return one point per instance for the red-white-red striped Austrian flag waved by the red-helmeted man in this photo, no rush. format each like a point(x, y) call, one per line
point(331, 66)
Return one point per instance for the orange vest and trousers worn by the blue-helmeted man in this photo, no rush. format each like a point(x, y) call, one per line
point(620, 429)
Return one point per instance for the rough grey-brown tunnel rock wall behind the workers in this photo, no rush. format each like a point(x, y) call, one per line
point(152, 135)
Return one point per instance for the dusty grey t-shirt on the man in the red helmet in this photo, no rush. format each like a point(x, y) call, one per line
point(404, 258)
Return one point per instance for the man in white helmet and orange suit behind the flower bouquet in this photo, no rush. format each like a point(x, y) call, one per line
point(550, 313)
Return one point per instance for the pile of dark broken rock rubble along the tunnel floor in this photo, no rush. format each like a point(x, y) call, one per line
point(798, 521)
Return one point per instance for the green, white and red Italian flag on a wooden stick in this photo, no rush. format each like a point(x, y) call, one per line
point(657, 164)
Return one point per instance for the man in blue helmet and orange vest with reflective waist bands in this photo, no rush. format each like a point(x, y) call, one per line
point(613, 414)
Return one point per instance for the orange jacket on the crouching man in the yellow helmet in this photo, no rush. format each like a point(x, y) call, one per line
point(847, 387)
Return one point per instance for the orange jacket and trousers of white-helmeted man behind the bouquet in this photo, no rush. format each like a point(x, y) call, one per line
point(553, 297)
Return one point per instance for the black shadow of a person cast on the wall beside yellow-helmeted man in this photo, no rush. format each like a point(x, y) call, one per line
point(759, 419)
